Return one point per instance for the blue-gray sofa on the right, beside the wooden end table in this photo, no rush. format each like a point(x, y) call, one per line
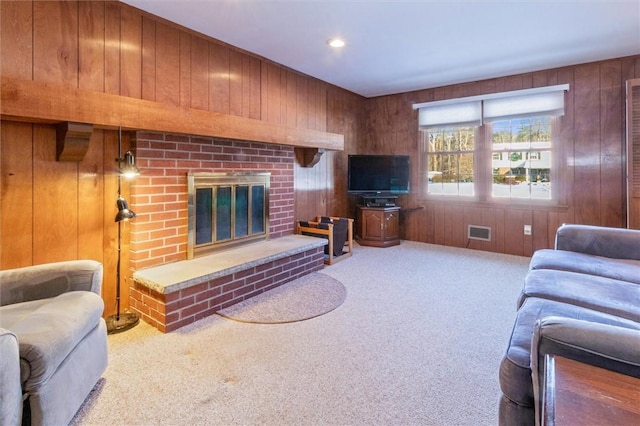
point(580, 300)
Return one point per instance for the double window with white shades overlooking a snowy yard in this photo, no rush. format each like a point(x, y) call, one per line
point(494, 147)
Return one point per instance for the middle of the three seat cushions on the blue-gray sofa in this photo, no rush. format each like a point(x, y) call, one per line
point(615, 297)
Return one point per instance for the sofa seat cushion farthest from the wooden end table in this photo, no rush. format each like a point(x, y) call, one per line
point(618, 269)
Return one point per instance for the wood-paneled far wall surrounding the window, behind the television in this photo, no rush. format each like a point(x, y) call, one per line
point(593, 159)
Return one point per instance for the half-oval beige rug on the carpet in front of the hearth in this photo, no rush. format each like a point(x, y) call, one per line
point(307, 297)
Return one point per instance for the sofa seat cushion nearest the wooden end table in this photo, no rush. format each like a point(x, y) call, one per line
point(515, 369)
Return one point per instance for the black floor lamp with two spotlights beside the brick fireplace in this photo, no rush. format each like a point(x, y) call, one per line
point(122, 321)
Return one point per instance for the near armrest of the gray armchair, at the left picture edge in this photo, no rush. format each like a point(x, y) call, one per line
point(10, 389)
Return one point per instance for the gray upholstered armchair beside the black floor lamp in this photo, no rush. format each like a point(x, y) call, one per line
point(53, 341)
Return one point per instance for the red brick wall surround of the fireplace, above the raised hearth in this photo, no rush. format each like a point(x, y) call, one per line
point(159, 195)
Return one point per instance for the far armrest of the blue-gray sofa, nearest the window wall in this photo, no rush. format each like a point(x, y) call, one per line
point(616, 243)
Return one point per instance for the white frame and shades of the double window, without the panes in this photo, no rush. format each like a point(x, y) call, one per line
point(480, 111)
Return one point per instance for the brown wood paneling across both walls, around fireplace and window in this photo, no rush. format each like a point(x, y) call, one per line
point(55, 210)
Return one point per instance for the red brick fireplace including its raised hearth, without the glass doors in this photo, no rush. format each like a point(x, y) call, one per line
point(159, 235)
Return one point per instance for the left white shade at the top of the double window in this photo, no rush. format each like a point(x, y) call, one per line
point(459, 114)
